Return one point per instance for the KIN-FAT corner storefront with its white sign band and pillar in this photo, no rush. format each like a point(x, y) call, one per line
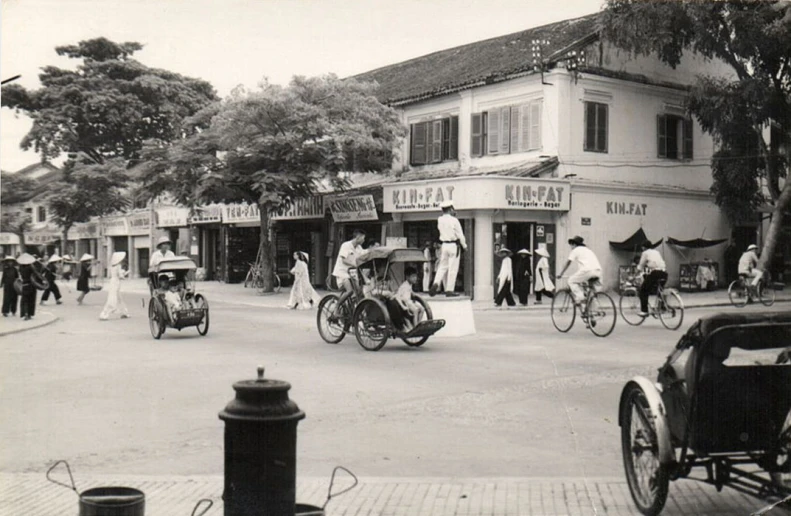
point(494, 211)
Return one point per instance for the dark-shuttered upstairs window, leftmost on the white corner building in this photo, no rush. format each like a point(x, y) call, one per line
point(434, 141)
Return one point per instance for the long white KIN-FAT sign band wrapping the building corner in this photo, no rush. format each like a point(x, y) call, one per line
point(478, 193)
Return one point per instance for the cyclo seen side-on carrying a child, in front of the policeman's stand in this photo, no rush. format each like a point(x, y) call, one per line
point(370, 310)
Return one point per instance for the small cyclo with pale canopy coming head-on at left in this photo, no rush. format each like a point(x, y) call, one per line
point(170, 284)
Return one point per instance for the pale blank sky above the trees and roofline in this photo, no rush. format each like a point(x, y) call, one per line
point(232, 42)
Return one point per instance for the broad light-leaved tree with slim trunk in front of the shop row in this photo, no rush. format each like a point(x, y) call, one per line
point(274, 145)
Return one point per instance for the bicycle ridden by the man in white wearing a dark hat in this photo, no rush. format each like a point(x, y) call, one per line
point(598, 311)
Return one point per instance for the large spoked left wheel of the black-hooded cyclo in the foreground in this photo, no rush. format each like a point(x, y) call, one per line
point(647, 478)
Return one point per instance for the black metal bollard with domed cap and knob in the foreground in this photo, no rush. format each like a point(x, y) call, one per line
point(260, 449)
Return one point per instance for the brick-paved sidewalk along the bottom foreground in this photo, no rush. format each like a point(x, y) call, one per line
point(31, 494)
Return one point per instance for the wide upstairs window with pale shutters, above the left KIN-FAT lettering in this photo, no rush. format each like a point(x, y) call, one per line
point(507, 129)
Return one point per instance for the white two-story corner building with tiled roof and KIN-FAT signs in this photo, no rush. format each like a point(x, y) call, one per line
point(548, 133)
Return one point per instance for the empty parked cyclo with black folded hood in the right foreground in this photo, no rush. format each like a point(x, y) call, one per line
point(726, 412)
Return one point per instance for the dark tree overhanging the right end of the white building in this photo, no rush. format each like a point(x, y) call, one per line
point(754, 39)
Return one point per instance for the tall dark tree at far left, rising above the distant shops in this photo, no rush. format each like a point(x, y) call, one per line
point(100, 114)
